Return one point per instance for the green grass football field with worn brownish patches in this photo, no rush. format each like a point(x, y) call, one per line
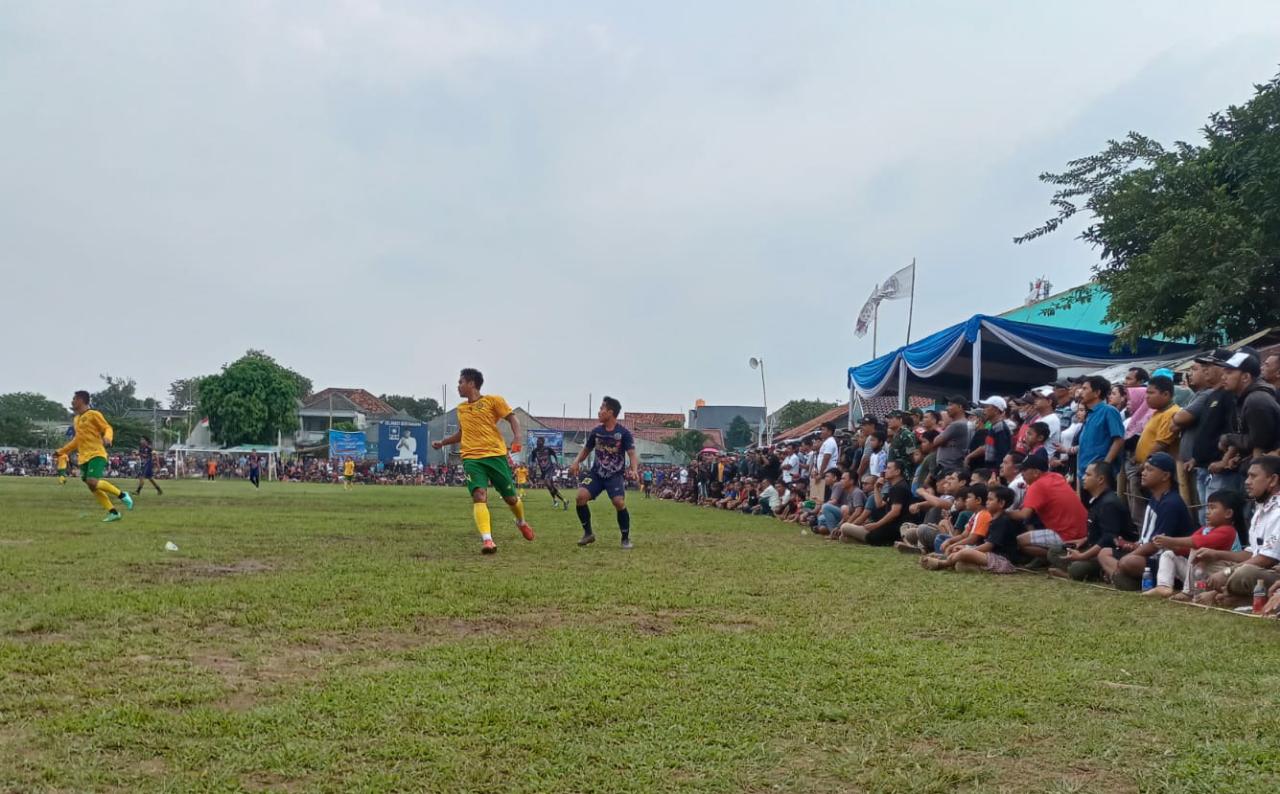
point(309, 640)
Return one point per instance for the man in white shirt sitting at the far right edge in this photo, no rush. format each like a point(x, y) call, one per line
point(1235, 586)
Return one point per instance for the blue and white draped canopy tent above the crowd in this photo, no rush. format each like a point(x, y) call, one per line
point(988, 355)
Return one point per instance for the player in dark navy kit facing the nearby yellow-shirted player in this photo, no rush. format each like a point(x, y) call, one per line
point(611, 442)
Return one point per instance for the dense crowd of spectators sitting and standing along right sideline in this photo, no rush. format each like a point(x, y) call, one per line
point(1164, 485)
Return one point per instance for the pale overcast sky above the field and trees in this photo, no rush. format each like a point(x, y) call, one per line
point(577, 198)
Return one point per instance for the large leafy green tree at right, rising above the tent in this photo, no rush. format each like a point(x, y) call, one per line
point(1188, 238)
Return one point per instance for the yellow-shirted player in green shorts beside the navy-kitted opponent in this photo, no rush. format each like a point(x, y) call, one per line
point(484, 455)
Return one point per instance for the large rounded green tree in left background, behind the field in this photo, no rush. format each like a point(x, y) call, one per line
point(250, 401)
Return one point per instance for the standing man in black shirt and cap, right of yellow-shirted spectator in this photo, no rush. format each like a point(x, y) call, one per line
point(1204, 422)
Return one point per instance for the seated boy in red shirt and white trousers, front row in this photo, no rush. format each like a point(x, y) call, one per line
point(1181, 559)
